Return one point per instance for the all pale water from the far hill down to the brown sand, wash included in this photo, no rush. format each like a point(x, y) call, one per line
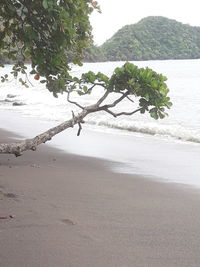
point(166, 150)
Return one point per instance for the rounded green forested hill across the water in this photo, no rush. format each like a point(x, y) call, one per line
point(153, 38)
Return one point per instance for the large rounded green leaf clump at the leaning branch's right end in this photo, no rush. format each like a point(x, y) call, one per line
point(143, 83)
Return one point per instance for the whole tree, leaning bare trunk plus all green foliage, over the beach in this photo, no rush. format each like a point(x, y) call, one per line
point(47, 32)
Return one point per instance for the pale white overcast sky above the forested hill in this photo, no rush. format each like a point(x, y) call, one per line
point(118, 13)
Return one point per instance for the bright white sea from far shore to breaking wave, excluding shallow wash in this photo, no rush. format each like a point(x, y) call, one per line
point(183, 122)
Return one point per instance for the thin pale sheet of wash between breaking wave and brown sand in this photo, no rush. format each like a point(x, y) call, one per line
point(162, 160)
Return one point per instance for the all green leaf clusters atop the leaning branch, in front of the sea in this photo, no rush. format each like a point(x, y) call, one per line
point(129, 80)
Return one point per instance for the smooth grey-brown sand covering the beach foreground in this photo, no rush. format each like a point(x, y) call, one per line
point(72, 211)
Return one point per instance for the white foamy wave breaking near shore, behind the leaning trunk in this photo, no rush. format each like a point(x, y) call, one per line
point(58, 112)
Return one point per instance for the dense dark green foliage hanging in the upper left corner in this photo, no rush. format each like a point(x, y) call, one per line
point(46, 31)
